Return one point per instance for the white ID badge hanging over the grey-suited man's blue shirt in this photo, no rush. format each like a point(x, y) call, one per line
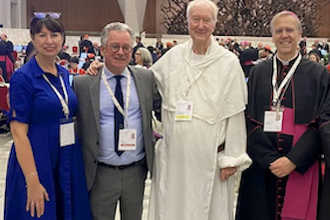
point(127, 139)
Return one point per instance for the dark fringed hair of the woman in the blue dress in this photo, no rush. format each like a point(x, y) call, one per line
point(54, 25)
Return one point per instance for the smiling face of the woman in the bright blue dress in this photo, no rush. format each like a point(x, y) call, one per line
point(47, 43)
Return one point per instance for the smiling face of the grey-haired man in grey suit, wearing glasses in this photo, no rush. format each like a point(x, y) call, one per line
point(116, 61)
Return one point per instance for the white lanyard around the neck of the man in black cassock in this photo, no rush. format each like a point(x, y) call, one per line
point(277, 93)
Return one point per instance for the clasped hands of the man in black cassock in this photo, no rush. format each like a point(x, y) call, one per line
point(282, 167)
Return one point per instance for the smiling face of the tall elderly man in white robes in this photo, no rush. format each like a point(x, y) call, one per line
point(201, 23)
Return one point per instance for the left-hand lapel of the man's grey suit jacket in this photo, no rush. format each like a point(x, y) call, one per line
point(94, 92)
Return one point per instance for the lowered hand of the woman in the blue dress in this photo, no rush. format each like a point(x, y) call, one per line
point(36, 196)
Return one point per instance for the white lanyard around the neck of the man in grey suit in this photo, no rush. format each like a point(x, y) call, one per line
point(114, 99)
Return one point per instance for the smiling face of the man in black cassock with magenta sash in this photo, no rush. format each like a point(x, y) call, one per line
point(286, 36)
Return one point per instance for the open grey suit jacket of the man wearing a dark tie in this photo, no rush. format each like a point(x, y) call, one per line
point(87, 89)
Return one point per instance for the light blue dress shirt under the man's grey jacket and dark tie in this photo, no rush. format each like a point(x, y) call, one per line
point(107, 152)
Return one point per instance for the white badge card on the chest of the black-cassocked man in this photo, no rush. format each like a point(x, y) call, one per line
point(273, 121)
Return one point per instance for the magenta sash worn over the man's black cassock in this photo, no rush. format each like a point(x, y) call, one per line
point(300, 201)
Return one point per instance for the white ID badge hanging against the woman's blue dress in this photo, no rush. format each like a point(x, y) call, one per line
point(67, 133)
